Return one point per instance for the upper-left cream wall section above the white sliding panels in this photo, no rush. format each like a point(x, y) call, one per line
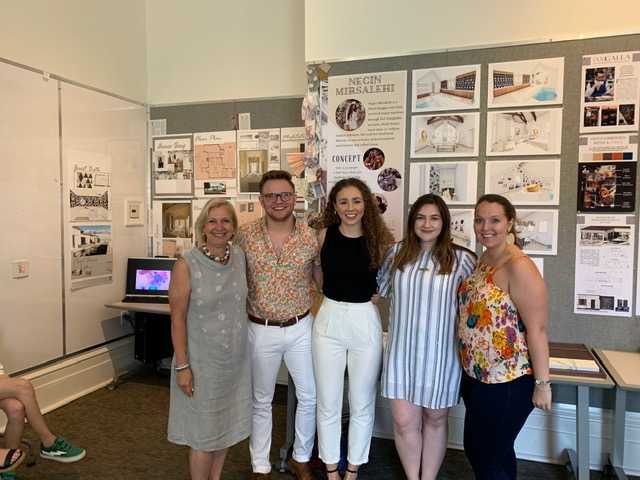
point(95, 42)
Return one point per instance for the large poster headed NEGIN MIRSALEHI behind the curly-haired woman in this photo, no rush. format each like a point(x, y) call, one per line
point(365, 137)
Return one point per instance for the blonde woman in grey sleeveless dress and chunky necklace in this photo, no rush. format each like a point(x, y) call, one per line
point(210, 377)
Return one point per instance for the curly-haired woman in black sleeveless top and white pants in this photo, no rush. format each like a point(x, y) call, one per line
point(347, 332)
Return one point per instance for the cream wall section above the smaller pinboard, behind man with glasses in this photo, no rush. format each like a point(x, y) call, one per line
point(204, 50)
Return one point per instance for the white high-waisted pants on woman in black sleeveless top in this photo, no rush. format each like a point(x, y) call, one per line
point(346, 334)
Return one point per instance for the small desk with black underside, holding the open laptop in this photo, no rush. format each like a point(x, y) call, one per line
point(151, 324)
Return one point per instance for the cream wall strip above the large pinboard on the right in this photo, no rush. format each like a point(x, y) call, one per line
point(338, 29)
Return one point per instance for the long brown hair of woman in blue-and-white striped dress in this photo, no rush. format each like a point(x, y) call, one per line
point(442, 251)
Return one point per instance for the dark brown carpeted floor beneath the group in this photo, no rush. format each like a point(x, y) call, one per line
point(124, 431)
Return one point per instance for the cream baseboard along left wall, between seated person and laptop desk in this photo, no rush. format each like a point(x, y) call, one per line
point(62, 382)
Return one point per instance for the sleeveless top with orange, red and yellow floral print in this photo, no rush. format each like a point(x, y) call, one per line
point(491, 334)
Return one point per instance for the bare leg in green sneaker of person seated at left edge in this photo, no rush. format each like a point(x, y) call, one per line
point(52, 447)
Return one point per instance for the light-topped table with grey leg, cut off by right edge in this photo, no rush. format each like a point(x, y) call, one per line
point(624, 368)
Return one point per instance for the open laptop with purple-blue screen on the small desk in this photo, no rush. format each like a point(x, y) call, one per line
point(148, 280)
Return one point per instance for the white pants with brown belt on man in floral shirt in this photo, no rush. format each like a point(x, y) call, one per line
point(268, 345)
